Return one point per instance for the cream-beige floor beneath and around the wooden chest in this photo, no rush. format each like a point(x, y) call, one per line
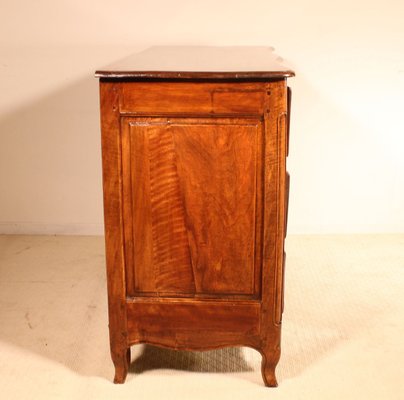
point(343, 329)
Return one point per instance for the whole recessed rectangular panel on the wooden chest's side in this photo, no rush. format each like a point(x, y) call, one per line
point(201, 179)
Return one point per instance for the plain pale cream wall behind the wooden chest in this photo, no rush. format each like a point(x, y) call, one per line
point(347, 143)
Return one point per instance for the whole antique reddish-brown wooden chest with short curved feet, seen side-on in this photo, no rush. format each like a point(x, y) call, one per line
point(194, 147)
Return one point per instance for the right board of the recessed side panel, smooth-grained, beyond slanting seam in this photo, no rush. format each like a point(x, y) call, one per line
point(217, 162)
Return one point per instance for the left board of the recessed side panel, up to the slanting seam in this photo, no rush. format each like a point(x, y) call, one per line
point(162, 265)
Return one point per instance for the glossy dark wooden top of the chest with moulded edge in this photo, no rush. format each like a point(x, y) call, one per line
point(199, 62)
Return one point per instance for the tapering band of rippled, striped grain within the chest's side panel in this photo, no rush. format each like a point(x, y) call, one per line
point(171, 254)
